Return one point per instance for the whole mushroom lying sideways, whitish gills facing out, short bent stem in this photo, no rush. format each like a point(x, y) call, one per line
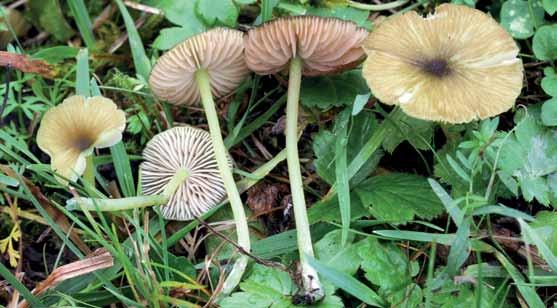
point(179, 171)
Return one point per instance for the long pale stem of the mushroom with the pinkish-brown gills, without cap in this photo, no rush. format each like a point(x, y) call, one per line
point(310, 280)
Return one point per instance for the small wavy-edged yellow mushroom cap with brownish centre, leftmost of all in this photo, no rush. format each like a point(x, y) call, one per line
point(71, 131)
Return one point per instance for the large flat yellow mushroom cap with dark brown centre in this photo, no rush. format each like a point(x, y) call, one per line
point(454, 66)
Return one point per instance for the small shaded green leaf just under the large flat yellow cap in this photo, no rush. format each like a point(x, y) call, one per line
point(418, 132)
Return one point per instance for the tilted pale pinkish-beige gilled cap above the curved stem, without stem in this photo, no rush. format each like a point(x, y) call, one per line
point(220, 51)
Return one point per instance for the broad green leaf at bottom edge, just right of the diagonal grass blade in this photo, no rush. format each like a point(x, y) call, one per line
point(388, 267)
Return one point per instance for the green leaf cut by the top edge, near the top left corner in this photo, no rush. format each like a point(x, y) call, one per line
point(48, 15)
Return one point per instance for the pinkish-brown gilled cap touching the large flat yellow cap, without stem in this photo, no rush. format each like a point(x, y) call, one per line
point(326, 45)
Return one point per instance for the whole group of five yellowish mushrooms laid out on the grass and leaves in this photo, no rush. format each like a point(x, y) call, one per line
point(453, 66)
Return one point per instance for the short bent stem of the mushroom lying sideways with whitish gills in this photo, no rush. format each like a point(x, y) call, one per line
point(121, 204)
